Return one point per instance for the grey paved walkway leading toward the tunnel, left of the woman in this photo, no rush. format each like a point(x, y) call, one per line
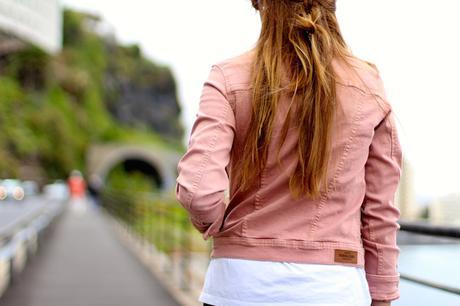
point(82, 263)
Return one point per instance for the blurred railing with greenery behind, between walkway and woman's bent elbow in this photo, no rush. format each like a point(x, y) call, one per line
point(165, 230)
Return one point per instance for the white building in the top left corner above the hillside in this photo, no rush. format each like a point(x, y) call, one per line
point(36, 22)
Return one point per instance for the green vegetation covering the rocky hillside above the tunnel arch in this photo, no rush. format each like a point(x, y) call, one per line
point(53, 107)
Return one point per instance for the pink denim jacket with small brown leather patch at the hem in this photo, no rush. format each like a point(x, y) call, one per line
point(355, 224)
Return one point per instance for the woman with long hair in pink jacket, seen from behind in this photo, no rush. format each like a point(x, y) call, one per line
point(303, 133)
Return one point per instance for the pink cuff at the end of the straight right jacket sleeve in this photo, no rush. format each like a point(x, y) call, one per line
point(383, 287)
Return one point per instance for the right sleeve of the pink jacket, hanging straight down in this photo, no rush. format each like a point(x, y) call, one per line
point(379, 213)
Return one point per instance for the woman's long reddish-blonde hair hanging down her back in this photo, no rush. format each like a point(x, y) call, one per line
point(298, 39)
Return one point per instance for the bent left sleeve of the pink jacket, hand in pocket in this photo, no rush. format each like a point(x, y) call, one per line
point(202, 177)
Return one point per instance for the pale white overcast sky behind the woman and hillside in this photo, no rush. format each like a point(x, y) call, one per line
point(415, 44)
